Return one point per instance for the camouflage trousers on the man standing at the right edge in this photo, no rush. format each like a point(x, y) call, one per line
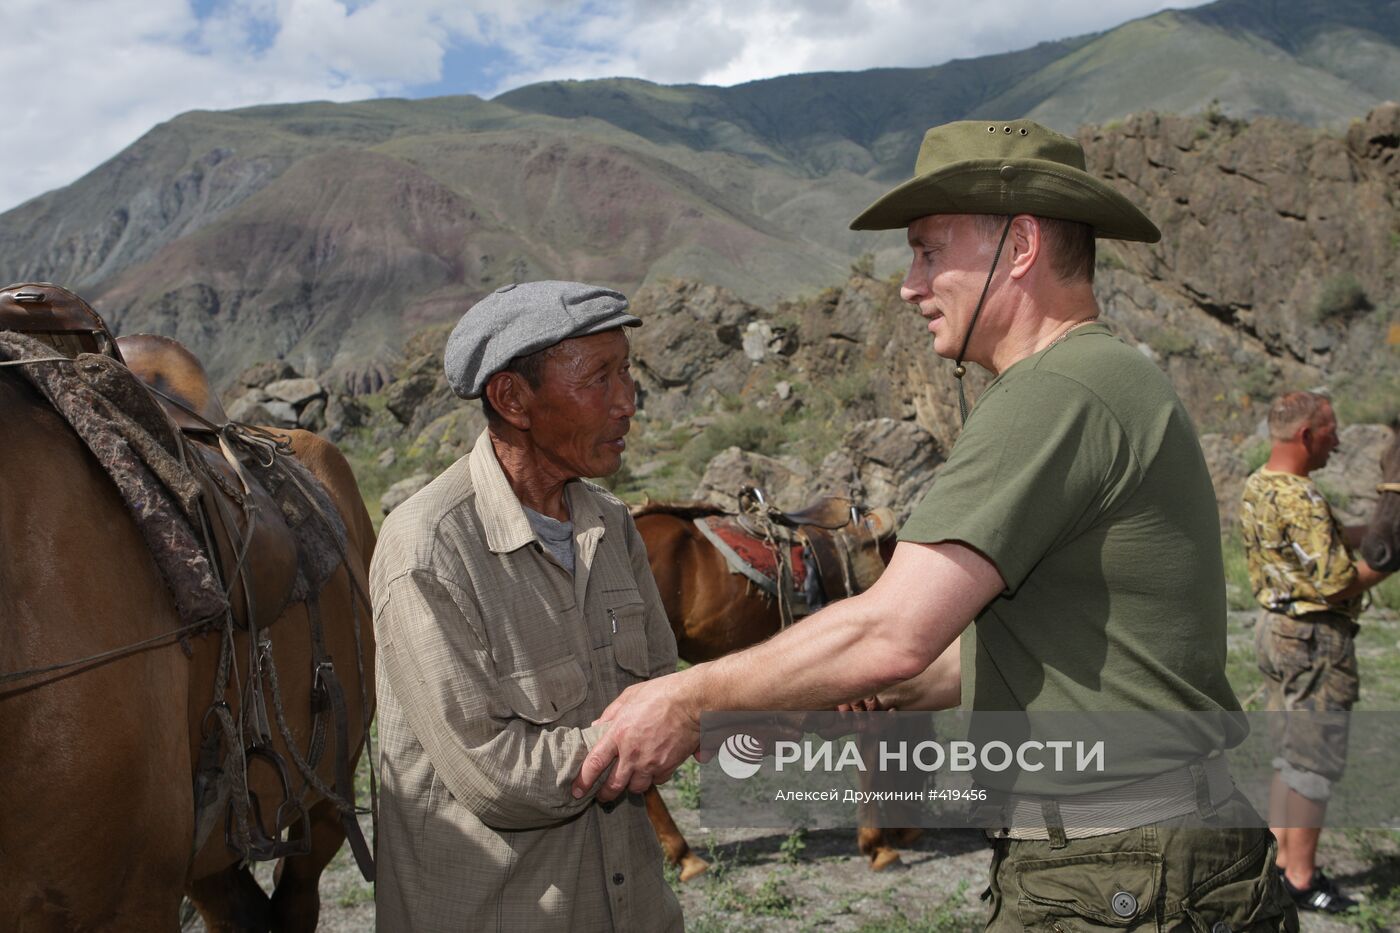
point(1310, 666)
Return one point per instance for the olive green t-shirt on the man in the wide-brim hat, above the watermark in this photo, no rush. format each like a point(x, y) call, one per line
point(1080, 476)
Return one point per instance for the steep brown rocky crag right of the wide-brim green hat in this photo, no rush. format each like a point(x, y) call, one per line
point(1277, 256)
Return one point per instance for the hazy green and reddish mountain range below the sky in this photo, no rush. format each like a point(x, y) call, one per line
point(327, 233)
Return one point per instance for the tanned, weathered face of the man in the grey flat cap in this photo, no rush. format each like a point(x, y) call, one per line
point(583, 408)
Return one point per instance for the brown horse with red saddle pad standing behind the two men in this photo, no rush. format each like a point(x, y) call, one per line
point(715, 613)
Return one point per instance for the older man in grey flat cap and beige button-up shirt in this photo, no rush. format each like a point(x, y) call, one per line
point(513, 602)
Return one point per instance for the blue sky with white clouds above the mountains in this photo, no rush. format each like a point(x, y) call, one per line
point(100, 74)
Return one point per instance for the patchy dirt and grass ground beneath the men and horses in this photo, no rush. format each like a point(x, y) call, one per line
point(761, 880)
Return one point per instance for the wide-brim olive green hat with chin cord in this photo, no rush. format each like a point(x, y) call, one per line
point(979, 167)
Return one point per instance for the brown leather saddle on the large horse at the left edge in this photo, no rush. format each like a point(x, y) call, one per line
point(246, 533)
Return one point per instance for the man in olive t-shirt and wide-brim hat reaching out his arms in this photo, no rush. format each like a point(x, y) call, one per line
point(1074, 523)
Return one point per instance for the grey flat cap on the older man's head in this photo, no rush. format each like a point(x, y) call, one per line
point(517, 320)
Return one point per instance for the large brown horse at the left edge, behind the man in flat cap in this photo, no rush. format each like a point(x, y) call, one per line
point(99, 827)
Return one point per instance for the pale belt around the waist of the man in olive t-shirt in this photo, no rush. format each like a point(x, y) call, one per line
point(1195, 788)
